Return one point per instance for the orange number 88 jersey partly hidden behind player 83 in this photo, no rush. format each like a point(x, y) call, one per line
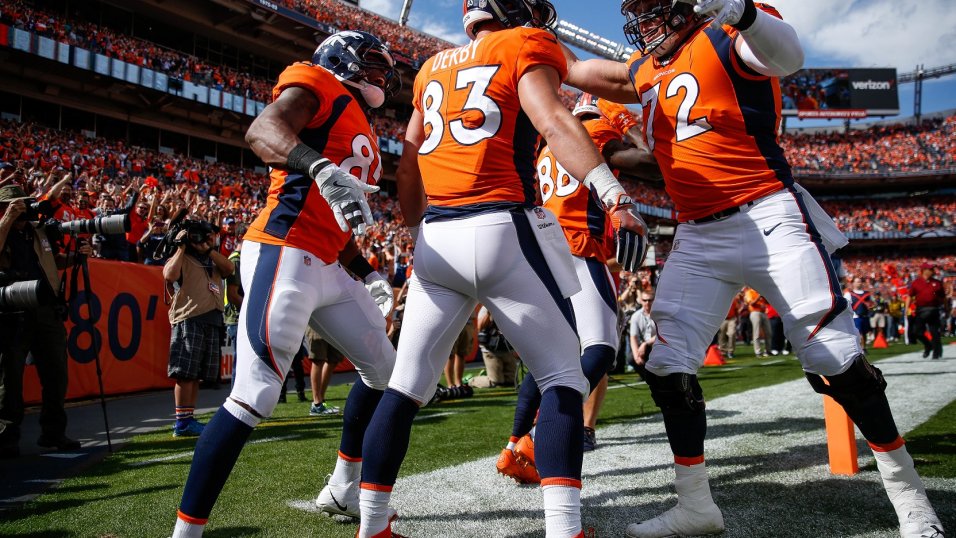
point(580, 213)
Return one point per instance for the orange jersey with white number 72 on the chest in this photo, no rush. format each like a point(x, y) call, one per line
point(712, 123)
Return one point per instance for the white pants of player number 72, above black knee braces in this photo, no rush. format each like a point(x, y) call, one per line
point(772, 247)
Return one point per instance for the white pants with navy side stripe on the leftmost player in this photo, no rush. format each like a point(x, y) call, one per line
point(286, 289)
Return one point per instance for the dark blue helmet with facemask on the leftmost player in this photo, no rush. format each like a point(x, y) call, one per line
point(360, 60)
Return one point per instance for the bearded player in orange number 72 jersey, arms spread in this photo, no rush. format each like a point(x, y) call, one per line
point(707, 78)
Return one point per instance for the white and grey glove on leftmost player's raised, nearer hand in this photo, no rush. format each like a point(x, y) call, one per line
point(346, 196)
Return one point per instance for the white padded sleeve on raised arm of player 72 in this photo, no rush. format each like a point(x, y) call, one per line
point(770, 46)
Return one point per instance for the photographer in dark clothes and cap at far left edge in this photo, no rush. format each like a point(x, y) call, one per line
point(27, 254)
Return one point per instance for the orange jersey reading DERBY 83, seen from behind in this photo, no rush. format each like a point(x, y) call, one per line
point(479, 145)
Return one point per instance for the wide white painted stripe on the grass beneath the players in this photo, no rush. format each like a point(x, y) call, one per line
point(766, 450)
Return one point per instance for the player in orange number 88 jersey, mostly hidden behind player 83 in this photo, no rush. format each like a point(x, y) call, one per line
point(584, 223)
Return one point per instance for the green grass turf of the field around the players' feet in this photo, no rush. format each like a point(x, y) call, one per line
point(135, 492)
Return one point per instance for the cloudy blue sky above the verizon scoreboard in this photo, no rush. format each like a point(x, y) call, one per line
point(871, 33)
